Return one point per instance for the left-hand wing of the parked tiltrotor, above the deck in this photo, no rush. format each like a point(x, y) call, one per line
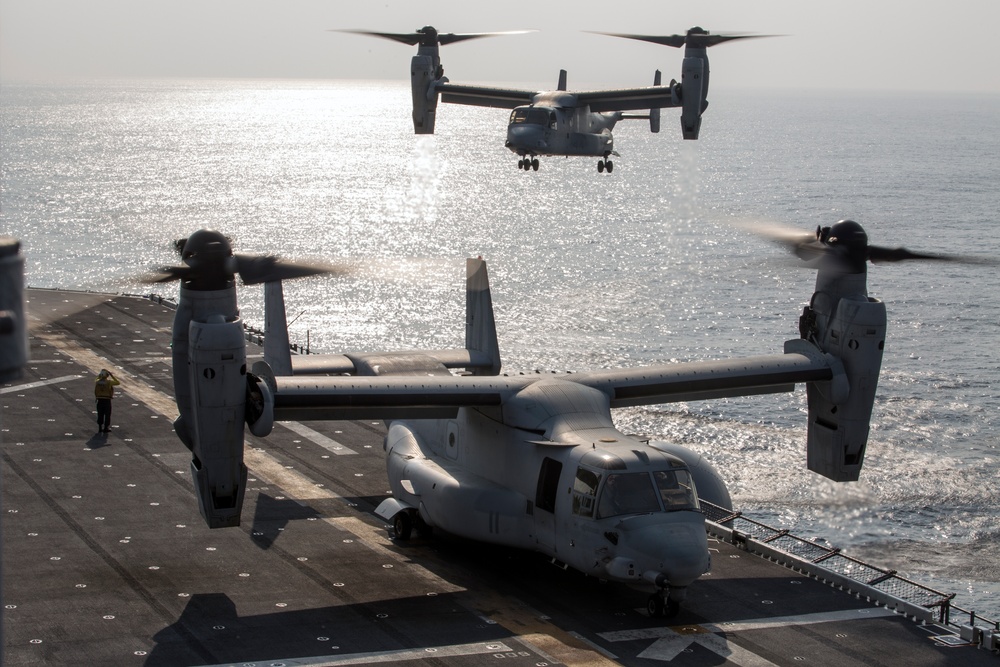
point(302, 398)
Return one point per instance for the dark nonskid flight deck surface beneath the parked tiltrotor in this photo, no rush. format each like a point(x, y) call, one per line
point(106, 560)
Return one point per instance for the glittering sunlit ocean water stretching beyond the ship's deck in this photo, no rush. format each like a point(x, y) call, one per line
point(589, 270)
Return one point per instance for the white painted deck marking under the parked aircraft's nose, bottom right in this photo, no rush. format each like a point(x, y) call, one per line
point(671, 641)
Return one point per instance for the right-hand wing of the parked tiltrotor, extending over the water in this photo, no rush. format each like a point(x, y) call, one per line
point(700, 380)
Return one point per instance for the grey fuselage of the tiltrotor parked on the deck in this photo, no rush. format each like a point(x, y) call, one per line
point(570, 486)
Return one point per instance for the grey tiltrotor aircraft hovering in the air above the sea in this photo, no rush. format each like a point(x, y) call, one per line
point(561, 122)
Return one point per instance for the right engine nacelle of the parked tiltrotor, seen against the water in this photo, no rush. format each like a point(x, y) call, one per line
point(854, 332)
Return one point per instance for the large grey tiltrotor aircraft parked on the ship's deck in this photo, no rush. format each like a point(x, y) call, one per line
point(530, 461)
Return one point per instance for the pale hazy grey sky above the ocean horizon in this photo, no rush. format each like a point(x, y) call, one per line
point(933, 46)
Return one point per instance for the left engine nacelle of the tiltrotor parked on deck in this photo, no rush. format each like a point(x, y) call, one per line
point(217, 371)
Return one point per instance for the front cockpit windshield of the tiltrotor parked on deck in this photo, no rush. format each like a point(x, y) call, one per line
point(644, 492)
